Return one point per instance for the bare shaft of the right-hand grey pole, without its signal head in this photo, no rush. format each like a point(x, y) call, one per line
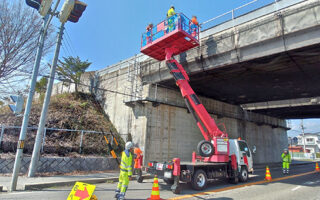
point(42, 122)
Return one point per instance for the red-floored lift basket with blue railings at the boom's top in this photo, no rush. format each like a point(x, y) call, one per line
point(176, 32)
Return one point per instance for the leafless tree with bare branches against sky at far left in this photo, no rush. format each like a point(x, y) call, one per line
point(19, 34)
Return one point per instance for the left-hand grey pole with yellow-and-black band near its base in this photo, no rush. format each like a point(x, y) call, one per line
point(19, 154)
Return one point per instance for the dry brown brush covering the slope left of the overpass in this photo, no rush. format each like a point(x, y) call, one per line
point(66, 111)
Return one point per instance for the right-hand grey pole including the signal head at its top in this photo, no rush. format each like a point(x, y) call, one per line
point(71, 11)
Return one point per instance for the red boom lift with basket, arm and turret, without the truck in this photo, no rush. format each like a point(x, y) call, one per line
point(171, 37)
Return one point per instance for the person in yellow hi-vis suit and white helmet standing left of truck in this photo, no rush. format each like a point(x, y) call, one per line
point(125, 171)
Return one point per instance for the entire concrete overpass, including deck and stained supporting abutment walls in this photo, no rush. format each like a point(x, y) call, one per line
point(266, 56)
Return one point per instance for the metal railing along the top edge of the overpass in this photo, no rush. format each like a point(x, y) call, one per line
point(249, 11)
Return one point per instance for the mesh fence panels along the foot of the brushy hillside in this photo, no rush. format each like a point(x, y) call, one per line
point(61, 142)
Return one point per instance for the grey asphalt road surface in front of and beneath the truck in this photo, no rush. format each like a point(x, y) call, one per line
point(301, 184)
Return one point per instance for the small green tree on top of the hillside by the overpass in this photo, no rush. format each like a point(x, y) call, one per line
point(71, 69)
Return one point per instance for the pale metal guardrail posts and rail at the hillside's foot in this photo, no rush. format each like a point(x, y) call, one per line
point(3, 127)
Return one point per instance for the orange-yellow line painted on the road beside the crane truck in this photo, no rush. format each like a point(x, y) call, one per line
point(240, 186)
